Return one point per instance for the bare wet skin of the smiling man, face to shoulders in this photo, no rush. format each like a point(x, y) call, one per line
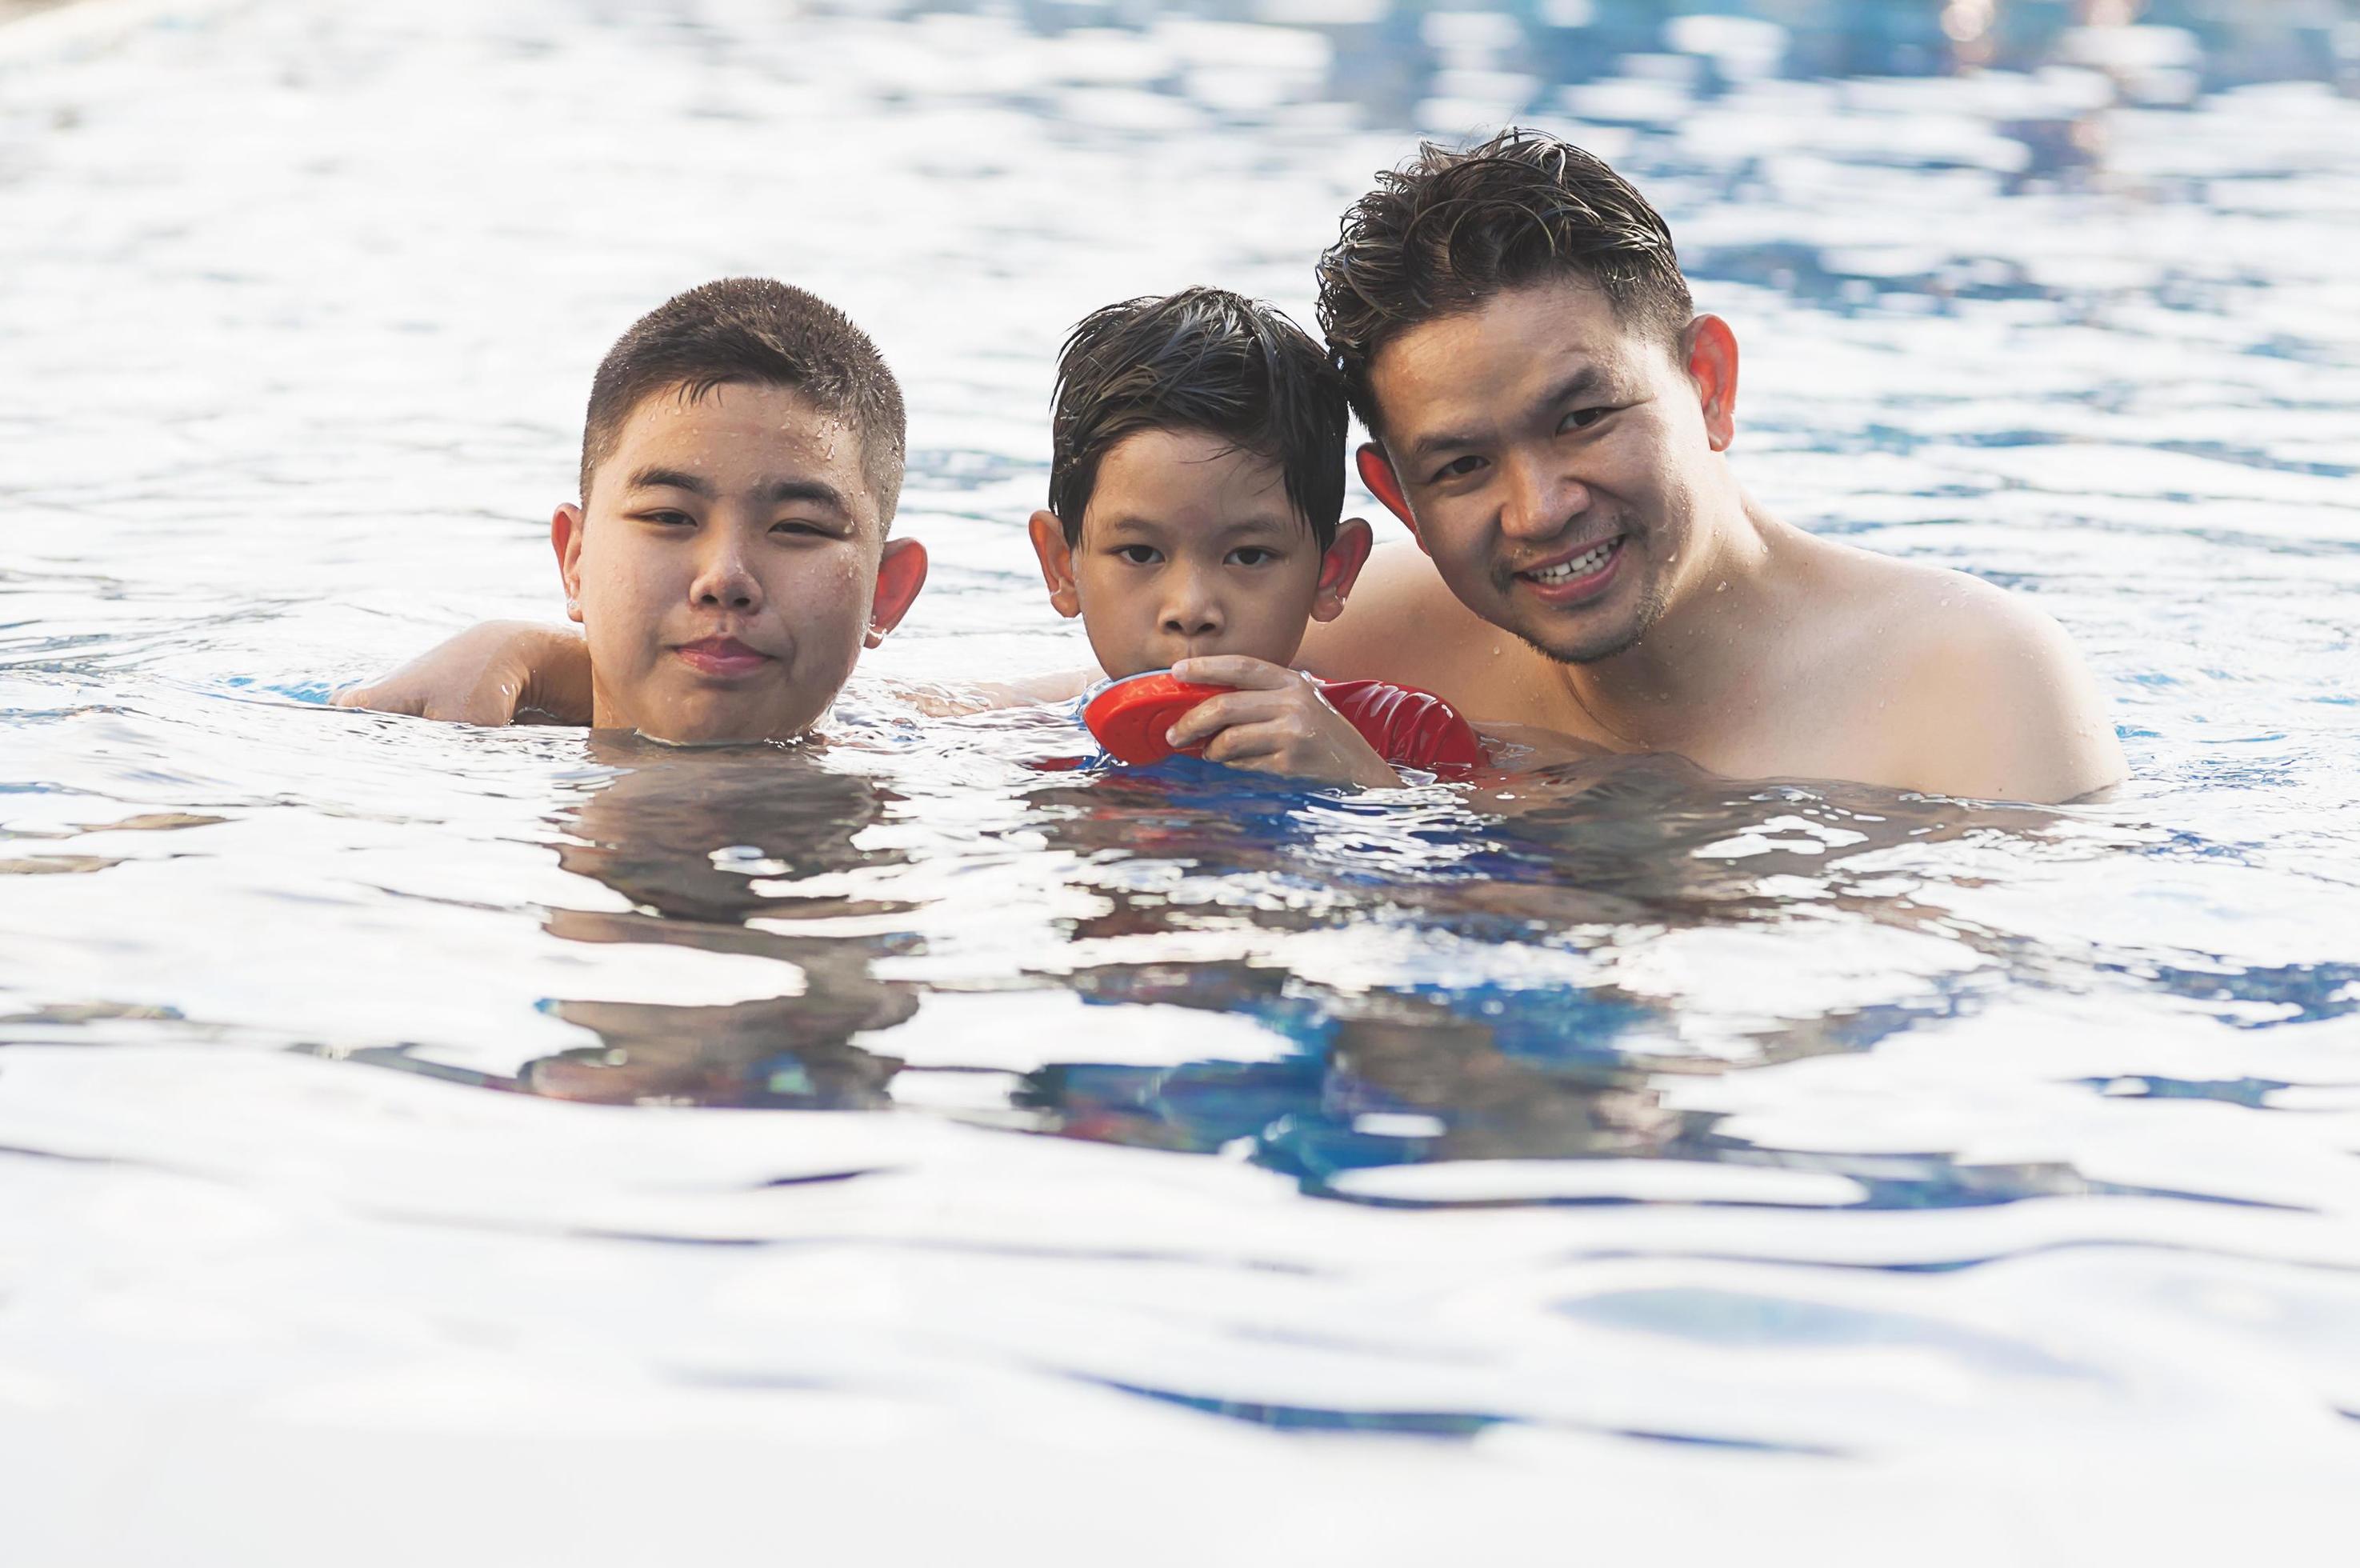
point(1587, 563)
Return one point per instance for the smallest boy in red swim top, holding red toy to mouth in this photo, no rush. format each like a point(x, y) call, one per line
point(1195, 523)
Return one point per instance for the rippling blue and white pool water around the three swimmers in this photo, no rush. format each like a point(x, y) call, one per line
point(886, 1144)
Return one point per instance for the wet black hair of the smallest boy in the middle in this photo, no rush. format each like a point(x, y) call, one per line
point(1200, 360)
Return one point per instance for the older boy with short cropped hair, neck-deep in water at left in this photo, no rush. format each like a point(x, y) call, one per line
point(728, 558)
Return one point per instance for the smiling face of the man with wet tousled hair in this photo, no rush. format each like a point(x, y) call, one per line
point(1554, 464)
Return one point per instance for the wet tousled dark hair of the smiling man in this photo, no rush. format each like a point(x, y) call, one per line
point(1450, 230)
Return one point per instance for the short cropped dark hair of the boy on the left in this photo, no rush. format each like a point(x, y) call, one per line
point(754, 332)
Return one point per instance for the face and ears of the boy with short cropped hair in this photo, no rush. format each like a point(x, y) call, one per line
point(730, 566)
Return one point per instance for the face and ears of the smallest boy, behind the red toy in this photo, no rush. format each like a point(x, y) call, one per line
point(1191, 547)
